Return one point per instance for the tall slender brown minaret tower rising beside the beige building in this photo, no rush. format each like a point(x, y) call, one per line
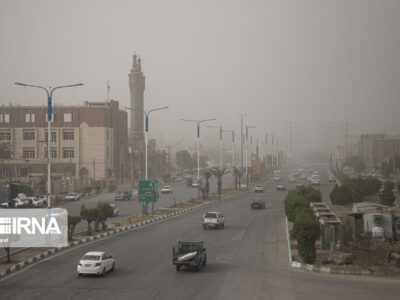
point(136, 87)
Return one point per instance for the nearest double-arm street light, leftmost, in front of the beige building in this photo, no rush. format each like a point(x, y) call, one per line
point(49, 92)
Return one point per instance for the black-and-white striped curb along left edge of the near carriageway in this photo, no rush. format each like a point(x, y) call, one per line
point(100, 236)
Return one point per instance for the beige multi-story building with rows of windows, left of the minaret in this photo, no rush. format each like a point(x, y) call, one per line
point(88, 142)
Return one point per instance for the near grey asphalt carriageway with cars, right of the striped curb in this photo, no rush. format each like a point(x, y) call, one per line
point(248, 259)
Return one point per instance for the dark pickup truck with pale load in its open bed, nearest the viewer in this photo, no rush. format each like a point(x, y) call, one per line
point(189, 254)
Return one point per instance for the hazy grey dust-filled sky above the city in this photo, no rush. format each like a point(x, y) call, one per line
point(277, 61)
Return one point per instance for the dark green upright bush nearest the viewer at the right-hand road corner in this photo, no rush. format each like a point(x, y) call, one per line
point(306, 231)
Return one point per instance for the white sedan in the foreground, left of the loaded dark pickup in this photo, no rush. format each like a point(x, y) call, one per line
point(98, 263)
